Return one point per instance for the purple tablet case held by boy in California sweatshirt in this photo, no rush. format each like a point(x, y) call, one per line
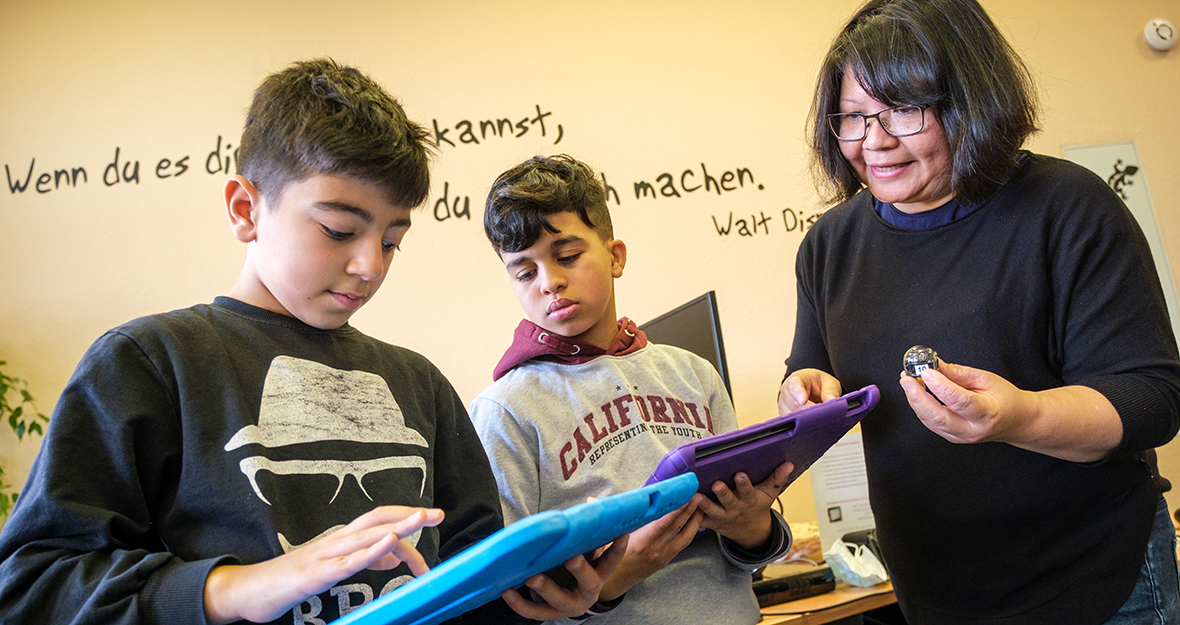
point(801, 437)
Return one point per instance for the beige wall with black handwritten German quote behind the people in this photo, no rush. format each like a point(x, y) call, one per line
point(639, 89)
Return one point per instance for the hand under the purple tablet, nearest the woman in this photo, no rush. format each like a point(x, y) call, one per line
point(744, 515)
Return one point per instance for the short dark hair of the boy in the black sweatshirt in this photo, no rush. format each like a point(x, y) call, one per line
point(317, 117)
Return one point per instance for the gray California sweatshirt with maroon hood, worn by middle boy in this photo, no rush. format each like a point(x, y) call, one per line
point(566, 420)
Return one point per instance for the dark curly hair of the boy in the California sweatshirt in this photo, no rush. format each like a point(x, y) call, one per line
point(523, 198)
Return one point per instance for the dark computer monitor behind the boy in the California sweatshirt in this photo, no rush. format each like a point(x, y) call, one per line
point(697, 328)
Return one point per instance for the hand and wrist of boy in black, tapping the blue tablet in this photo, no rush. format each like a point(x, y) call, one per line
point(261, 593)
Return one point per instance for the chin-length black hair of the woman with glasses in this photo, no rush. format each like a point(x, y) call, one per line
point(942, 54)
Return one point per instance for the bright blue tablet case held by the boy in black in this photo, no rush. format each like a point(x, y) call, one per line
point(522, 550)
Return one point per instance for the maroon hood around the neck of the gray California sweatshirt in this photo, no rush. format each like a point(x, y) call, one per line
point(534, 343)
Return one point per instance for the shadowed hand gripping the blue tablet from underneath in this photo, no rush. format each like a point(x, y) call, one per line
point(560, 603)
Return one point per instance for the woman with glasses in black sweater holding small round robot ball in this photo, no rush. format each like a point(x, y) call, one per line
point(1012, 485)
